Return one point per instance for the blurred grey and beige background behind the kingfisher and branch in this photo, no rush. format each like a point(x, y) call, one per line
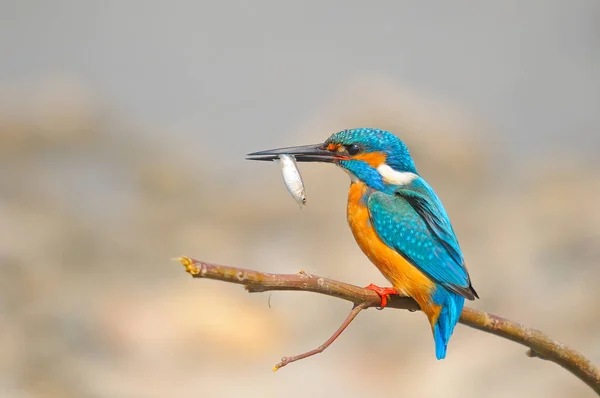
point(123, 130)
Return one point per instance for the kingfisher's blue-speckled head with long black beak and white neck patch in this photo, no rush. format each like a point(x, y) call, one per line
point(376, 157)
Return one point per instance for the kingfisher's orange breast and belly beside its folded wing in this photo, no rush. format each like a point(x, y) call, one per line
point(406, 278)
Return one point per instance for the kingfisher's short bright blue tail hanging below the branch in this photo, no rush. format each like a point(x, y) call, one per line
point(451, 308)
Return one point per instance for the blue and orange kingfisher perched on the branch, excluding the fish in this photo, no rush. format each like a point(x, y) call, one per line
point(398, 222)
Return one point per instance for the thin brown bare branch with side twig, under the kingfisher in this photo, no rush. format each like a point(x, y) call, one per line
point(539, 344)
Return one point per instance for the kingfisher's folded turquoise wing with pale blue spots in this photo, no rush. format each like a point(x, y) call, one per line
point(414, 223)
